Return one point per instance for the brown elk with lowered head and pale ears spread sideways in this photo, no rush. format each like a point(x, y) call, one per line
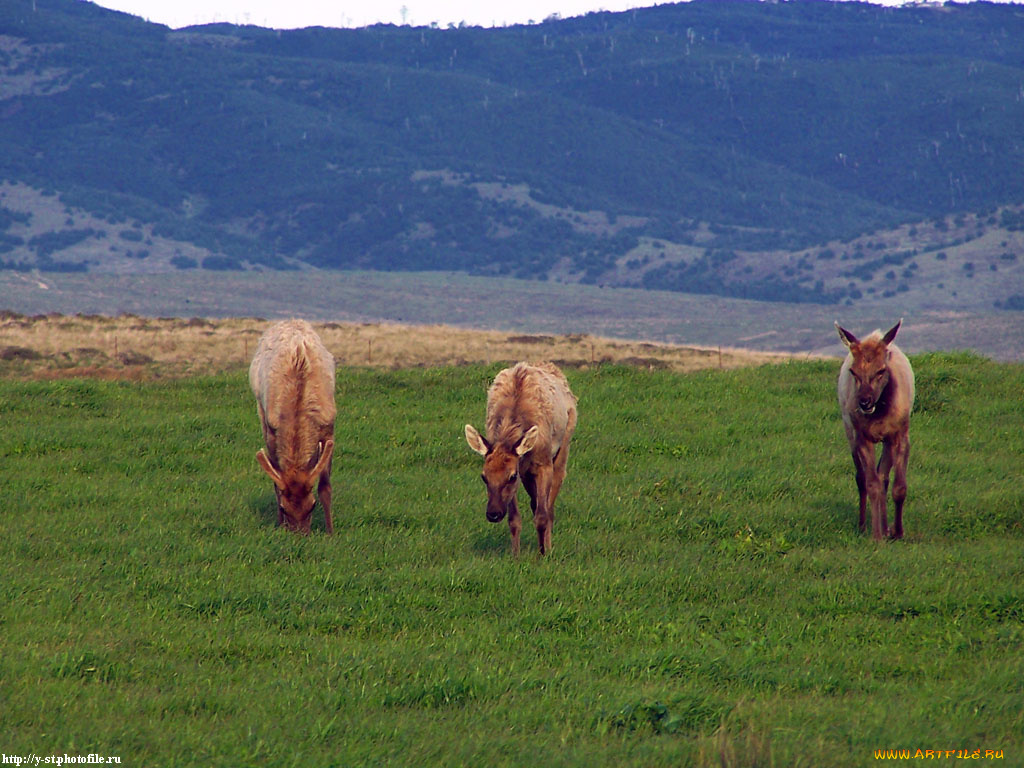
point(532, 414)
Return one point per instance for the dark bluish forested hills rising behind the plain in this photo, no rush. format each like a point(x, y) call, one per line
point(659, 147)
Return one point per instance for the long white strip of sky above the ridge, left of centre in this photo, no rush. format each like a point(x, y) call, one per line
point(292, 14)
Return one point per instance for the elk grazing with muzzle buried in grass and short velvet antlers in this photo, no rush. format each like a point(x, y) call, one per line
point(292, 376)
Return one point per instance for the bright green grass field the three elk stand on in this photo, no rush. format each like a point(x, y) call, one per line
point(709, 601)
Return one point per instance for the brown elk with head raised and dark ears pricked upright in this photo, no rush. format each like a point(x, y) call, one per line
point(876, 397)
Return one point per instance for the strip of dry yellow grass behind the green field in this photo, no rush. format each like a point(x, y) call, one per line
point(135, 348)
